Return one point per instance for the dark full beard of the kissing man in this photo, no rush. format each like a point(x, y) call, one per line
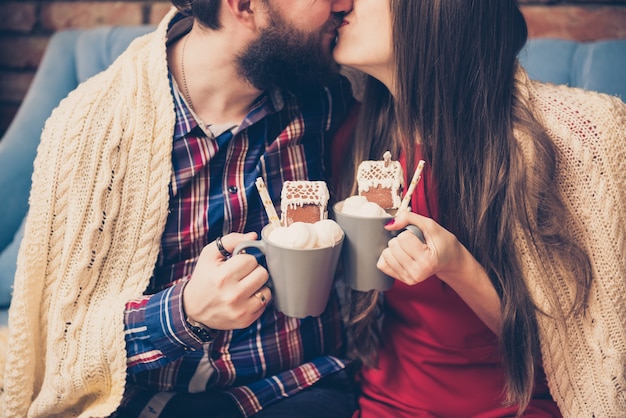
point(285, 58)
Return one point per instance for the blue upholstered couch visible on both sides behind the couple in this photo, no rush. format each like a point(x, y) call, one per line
point(72, 56)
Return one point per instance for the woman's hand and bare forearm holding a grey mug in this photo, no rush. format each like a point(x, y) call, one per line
point(412, 261)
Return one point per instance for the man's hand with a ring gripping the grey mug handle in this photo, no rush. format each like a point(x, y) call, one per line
point(226, 294)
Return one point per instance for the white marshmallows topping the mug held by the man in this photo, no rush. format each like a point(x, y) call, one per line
point(302, 235)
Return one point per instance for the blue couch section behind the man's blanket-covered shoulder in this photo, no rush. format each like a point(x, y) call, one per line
point(71, 57)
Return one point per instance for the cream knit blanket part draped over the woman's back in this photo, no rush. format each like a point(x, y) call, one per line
point(584, 355)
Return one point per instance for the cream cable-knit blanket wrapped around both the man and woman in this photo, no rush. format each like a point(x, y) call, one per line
point(99, 203)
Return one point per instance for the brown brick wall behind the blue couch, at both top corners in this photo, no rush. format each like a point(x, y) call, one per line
point(26, 26)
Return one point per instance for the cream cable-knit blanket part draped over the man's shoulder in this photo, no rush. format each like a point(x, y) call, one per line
point(98, 207)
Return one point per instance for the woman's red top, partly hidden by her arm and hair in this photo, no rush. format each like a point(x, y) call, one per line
point(438, 358)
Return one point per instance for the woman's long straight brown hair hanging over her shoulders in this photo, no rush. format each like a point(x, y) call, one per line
point(455, 94)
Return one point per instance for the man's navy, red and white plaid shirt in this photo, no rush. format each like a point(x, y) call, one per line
point(212, 193)
